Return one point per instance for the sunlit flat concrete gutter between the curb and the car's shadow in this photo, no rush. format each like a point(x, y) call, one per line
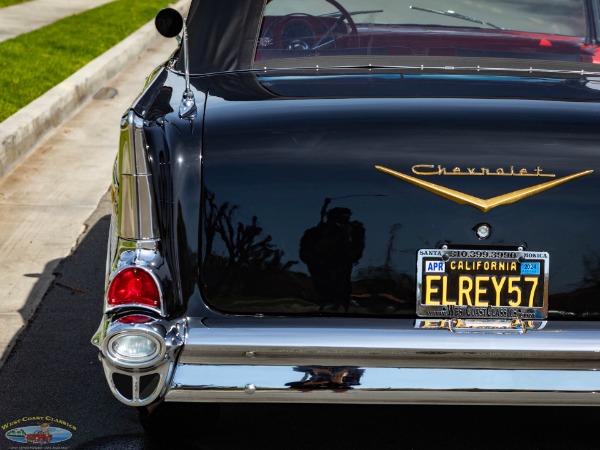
point(46, 199)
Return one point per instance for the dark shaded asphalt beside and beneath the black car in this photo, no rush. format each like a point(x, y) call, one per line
point(53, 372)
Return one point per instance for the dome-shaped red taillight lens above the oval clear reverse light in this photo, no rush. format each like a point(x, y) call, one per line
point(133, 286)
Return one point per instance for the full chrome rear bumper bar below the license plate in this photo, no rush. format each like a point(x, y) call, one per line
point(268, 360)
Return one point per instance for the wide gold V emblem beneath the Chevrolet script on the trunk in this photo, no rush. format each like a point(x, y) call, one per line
point(479, 203)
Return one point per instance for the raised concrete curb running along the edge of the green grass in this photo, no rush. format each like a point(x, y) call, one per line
point(23, 130)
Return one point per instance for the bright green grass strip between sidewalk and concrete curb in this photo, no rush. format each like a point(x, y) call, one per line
point(33, 63)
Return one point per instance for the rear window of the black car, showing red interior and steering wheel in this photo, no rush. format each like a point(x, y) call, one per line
point(368, 30)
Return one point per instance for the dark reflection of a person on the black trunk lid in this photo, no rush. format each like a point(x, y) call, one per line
point(330, 250)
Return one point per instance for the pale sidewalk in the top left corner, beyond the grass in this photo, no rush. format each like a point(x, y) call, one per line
point(34, 14)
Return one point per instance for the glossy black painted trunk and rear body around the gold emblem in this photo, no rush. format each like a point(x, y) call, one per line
point(269, 202)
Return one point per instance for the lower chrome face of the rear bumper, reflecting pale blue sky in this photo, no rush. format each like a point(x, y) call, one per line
point(387, 385)
